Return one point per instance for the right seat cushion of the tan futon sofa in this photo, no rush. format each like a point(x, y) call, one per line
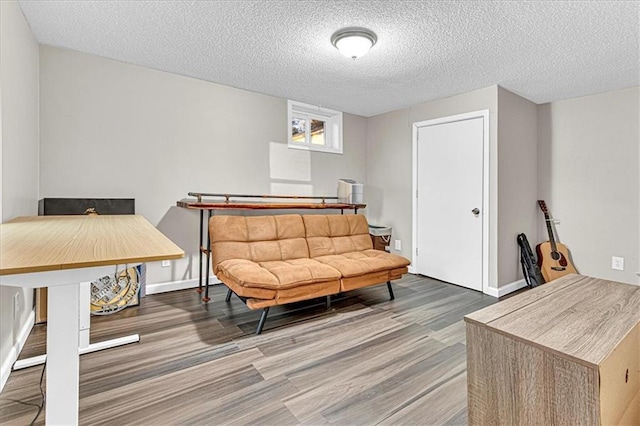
point(363, 262)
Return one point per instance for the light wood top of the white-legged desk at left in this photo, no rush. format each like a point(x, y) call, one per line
point(47, 243)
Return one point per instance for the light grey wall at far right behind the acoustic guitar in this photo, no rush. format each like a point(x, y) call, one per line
point(589, 175)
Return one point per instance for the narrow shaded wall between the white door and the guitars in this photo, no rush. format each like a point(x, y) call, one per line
point(517, 181)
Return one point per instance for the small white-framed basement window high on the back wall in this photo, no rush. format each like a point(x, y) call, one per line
point(314, 128)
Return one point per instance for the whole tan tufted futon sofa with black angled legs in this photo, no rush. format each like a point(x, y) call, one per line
point(274, 260)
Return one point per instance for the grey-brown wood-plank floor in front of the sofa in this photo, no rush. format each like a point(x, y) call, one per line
point(367, 360)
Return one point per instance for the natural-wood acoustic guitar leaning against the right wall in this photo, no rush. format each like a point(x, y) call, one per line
point(553, 257)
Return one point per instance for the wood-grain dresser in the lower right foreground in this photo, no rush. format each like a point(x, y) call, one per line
point(567, 352)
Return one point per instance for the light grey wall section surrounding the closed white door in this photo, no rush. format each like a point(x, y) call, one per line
point(389, 164)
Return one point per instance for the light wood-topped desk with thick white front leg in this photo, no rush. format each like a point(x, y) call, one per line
point(59, 252)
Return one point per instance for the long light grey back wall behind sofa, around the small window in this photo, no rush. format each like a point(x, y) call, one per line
point(110, 129)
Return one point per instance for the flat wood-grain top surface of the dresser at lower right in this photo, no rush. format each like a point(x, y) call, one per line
point(577, 316)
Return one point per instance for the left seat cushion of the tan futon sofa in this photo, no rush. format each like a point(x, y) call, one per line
point(277, 275)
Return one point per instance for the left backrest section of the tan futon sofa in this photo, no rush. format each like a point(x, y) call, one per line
point(257, 238)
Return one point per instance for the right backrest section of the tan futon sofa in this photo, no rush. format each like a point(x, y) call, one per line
point(336, 234)
